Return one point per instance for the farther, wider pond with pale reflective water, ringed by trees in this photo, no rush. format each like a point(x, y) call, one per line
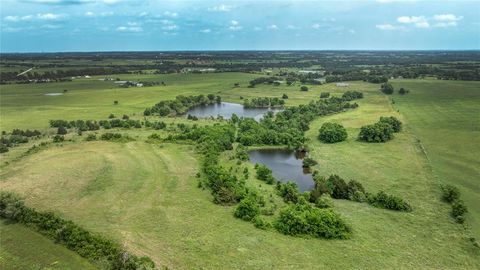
point(226, 109)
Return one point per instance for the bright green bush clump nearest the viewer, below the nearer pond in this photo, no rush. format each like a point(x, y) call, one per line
point(303, 219)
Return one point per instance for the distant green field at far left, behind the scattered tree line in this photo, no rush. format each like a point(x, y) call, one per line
point(93, 99)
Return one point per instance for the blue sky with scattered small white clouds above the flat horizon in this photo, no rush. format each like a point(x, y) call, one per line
point(154, 25)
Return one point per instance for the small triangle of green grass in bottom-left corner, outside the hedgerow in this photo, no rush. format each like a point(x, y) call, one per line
point(21, 248)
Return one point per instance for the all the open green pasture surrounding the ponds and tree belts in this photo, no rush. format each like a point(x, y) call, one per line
point(144, 194)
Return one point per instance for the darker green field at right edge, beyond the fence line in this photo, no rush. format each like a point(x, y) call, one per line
point(445, 117)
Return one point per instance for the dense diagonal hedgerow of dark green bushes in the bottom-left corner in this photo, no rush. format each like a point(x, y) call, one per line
point(88, 245)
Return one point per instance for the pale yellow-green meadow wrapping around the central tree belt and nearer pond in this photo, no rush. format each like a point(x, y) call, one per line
point(146, 197)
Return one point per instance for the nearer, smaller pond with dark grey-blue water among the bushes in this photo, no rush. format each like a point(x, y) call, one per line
point(286, 166)
